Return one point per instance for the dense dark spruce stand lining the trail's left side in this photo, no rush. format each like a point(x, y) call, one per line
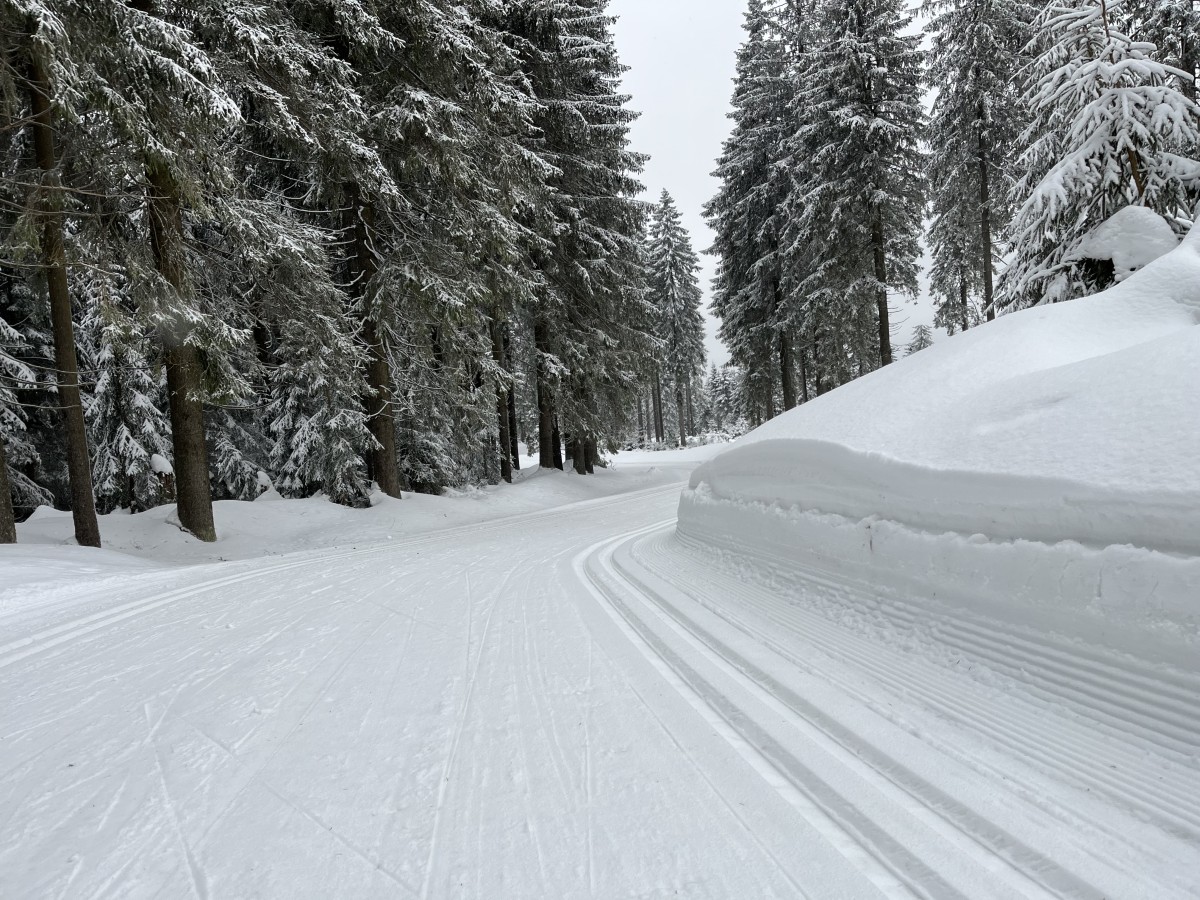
point(334, 242)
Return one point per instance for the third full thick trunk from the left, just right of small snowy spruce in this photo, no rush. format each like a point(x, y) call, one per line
point(382, 460)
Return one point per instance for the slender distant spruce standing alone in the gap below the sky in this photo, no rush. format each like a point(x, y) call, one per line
point(675, 292)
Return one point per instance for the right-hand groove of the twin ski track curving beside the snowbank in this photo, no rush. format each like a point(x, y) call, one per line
point(995, 843)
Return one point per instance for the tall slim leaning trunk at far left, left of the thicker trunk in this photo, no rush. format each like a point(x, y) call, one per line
point(83, 502)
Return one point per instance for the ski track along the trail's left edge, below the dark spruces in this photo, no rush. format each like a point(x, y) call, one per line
point(68, 632)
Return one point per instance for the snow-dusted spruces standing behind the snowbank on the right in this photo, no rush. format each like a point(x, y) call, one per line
point(1047, 121)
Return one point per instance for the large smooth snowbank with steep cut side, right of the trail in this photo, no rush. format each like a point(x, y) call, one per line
point(1077, 423)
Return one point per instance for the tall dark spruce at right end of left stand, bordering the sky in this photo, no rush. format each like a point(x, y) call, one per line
point(591, 323)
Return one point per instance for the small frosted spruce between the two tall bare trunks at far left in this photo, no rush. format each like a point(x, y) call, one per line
point(124, 409)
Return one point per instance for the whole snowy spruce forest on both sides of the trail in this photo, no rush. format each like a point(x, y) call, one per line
point(323, 245)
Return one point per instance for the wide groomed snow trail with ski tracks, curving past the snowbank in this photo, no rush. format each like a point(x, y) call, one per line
point(575, 704)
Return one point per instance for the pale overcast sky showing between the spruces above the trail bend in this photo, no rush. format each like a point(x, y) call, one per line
point(681, 57)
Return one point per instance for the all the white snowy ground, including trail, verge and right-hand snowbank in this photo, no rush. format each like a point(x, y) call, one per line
point(933, 635)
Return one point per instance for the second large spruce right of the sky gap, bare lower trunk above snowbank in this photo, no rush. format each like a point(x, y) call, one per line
point(860, 173)
